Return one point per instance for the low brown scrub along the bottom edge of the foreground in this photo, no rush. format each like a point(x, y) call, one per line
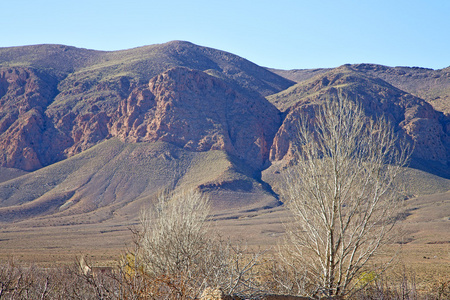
point(126, 281)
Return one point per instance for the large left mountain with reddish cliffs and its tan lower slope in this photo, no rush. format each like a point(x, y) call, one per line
point(105, 131)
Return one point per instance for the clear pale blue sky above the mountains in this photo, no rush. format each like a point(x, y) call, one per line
point(284, 34)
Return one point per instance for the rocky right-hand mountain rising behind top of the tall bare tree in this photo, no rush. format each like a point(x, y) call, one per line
point(410, 115)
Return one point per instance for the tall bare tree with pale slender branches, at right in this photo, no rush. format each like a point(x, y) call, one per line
point(341, 192)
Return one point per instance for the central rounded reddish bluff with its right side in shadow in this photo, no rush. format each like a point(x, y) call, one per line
point(198, 112)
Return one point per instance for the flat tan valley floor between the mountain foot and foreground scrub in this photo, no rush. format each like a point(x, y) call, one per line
point(425, 250)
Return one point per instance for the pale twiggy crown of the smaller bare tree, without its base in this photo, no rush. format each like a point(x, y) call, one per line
point(175, 231)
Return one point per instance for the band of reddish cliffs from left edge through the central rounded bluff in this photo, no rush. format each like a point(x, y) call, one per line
point(187, 108)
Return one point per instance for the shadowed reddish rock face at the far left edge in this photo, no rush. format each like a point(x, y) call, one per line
point(24, 96)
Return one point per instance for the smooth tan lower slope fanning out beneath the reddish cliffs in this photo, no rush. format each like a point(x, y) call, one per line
point(114, 179)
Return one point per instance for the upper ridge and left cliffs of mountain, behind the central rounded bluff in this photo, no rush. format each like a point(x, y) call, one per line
point(56, 101)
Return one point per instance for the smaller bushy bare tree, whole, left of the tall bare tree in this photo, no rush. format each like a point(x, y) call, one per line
point(174, 244)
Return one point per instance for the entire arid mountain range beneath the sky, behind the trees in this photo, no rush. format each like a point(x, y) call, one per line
point(88, 136)
